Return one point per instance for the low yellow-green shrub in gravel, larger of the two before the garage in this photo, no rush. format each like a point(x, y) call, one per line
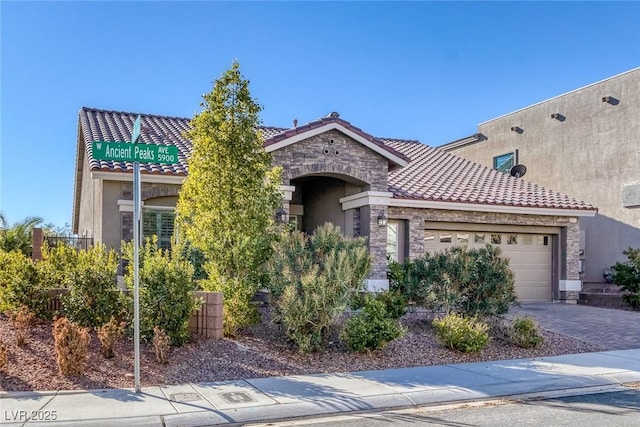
point(466, 334)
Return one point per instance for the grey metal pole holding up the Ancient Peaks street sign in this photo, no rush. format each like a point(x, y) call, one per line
point(136, 264)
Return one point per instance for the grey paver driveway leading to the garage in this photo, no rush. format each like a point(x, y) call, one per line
point(611, 328)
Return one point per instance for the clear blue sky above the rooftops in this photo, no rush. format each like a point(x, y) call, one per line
point(419, 70)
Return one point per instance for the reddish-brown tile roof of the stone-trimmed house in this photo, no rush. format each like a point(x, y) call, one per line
point(431, 174)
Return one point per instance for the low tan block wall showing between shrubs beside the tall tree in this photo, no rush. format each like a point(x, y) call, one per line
point(207, 321)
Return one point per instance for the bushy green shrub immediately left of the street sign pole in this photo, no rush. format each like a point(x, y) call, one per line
point(92, 296)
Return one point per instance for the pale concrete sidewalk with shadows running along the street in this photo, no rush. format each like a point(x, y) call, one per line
point(265, 399)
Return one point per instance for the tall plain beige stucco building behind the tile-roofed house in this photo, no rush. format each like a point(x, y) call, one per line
point(584, 143)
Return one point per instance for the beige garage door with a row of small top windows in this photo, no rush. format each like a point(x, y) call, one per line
point(529, 256)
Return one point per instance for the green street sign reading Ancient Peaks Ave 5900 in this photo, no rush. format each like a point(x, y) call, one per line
point(128, 152)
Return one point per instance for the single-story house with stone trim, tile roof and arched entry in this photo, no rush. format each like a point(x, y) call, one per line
point(405, 197)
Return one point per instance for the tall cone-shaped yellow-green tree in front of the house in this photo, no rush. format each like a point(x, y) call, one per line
point(228, 200)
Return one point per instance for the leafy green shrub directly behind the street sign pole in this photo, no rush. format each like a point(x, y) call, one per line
point(166, 290)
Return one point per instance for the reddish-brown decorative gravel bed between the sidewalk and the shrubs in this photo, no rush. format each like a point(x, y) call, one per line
point(259, 351)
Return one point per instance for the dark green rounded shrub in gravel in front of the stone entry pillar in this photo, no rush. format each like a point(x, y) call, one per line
point(372, 329)
